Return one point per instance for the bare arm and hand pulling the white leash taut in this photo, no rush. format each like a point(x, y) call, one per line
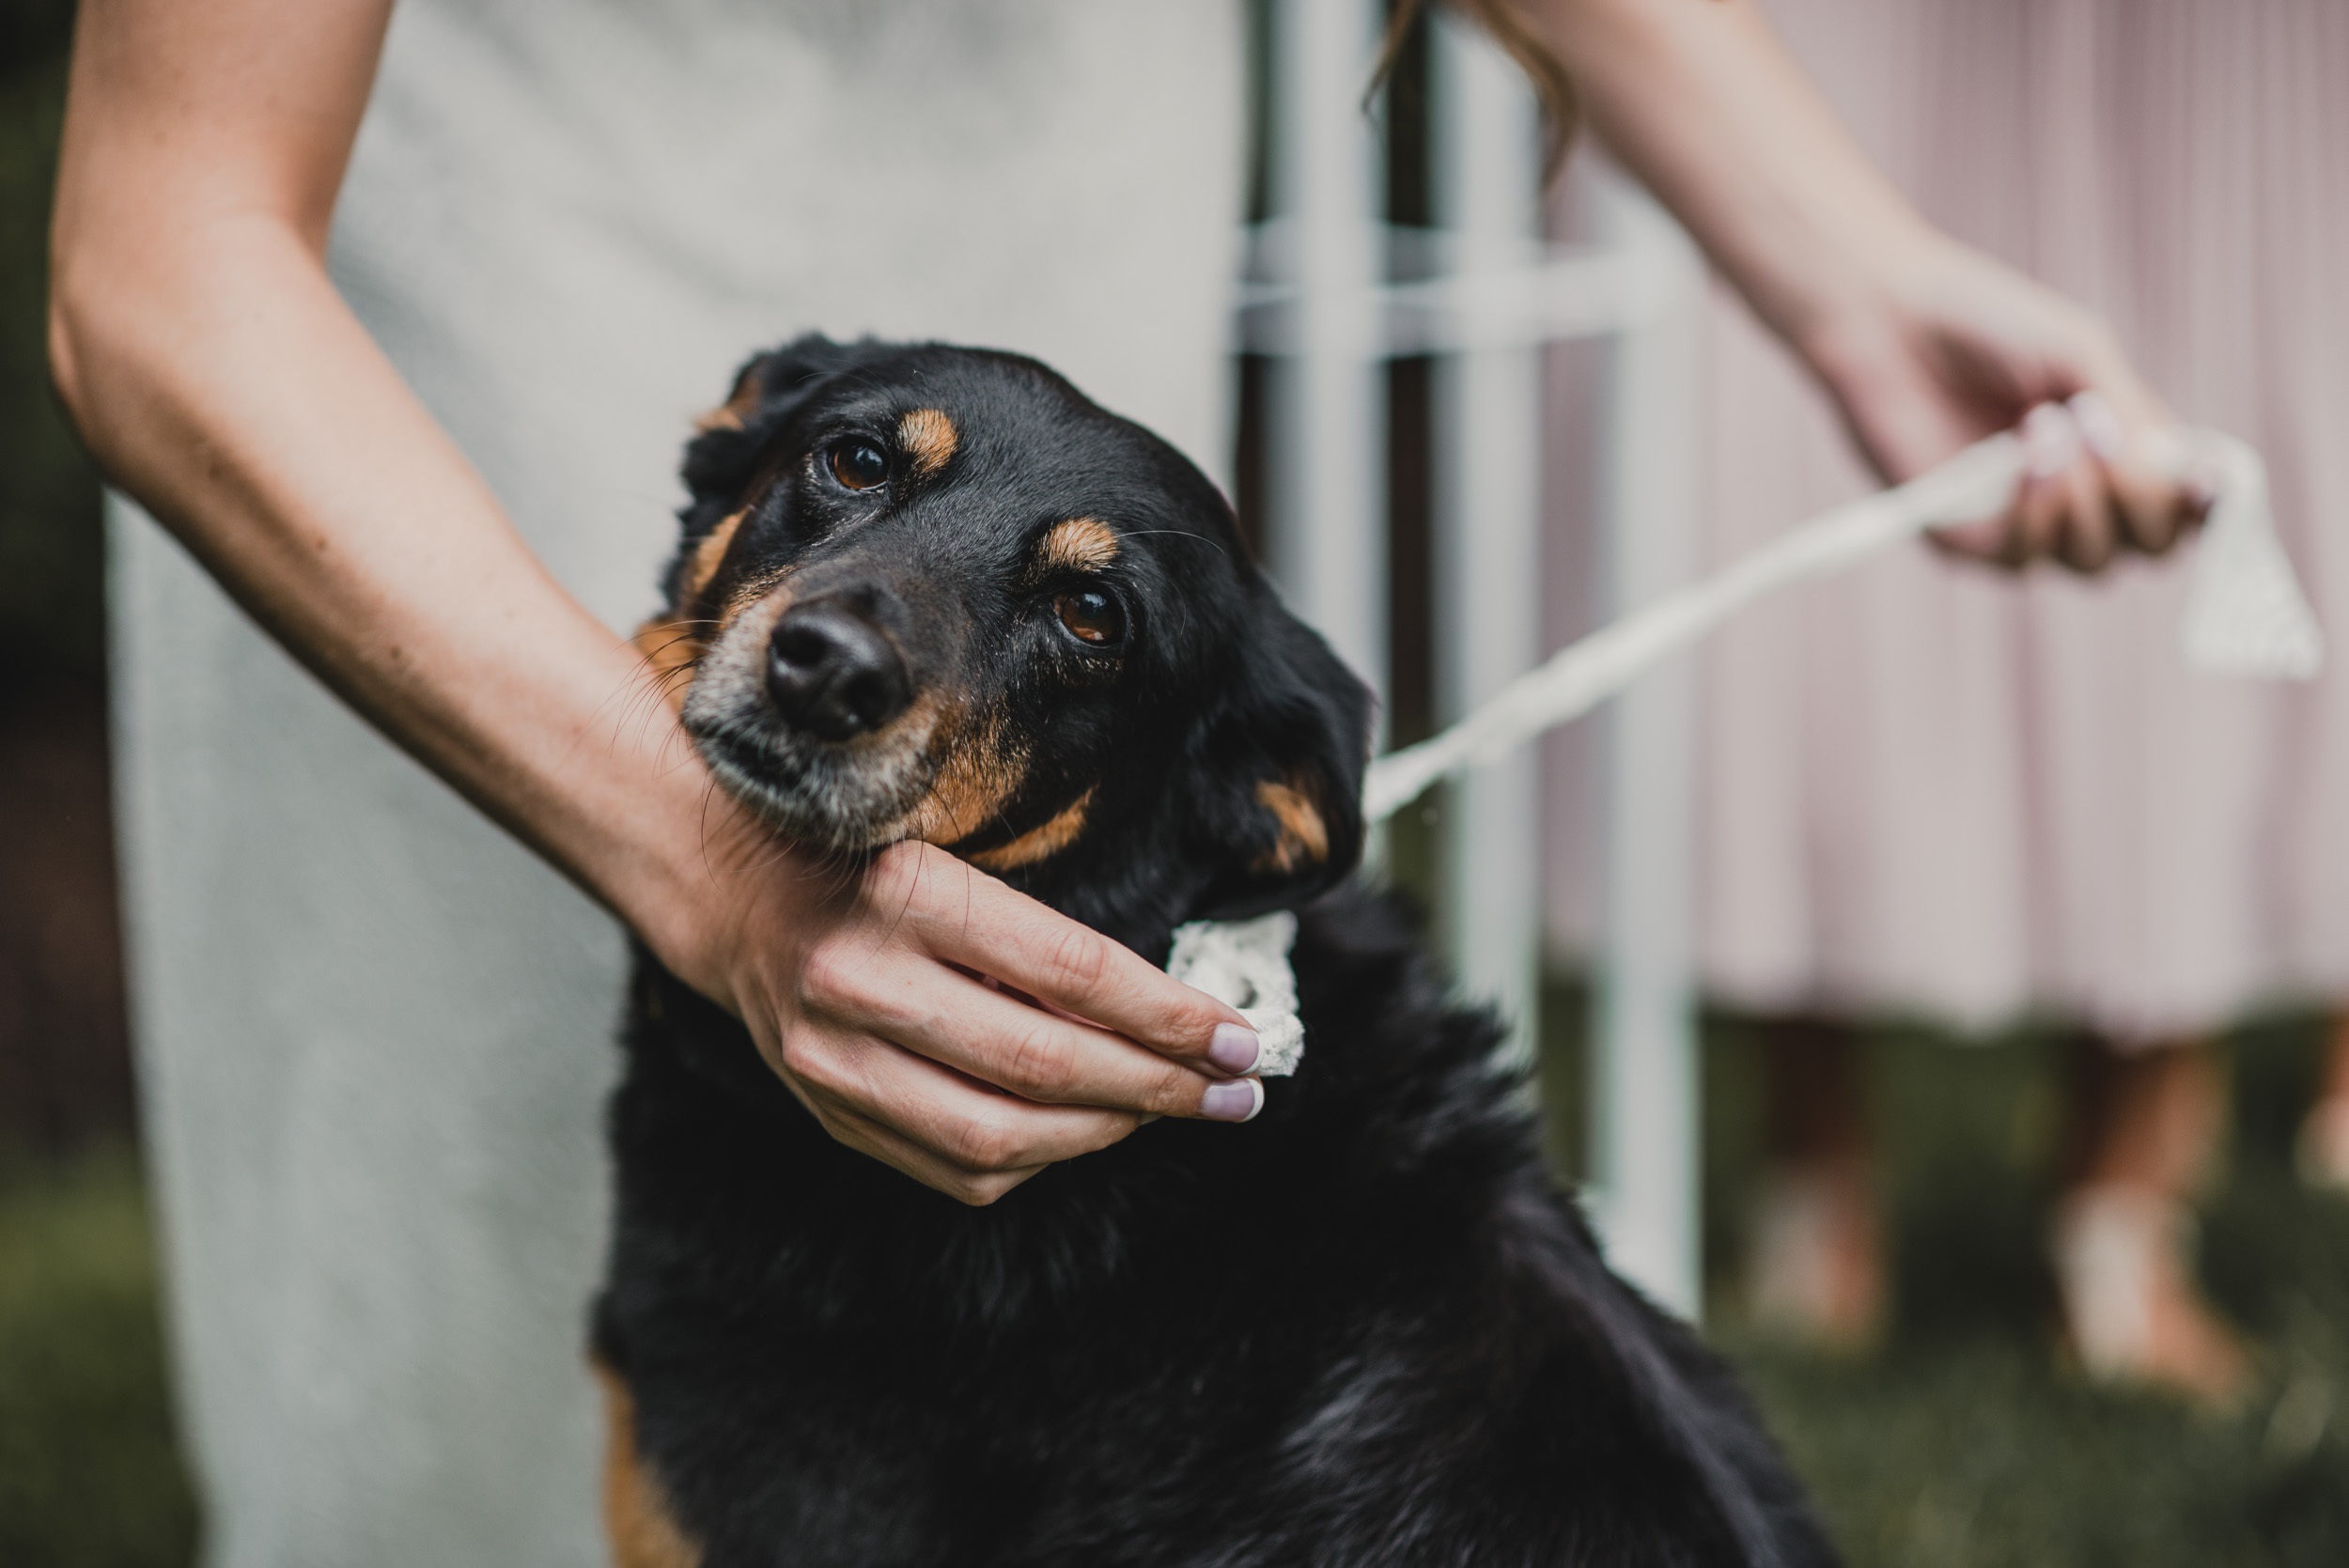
point(1923, 342)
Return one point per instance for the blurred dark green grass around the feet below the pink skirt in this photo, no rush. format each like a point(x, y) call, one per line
point(1965, 1440)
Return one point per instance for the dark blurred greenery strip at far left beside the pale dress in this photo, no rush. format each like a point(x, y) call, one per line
point(90, 1473)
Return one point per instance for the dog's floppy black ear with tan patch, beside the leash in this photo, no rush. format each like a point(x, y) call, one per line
point(1277, 773)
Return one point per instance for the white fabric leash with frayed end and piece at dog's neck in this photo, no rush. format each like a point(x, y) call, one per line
point(2244, 619)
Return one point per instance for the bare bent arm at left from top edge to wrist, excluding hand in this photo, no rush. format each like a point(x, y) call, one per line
point(222, 381)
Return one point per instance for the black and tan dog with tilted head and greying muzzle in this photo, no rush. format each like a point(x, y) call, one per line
point(950, 600)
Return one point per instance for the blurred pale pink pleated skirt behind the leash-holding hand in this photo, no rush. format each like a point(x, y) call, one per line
point(1937, 790)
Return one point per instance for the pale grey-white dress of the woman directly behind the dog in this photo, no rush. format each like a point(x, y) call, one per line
point(375, 1032)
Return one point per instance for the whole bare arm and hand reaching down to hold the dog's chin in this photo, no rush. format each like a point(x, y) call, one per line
point(224, 384)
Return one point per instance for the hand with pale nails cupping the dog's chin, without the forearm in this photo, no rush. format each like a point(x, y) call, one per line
point(859, 982)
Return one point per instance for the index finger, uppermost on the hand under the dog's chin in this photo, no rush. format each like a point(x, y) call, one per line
point(969, 919)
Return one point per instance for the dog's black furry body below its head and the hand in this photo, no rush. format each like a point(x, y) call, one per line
point(1361, 1330)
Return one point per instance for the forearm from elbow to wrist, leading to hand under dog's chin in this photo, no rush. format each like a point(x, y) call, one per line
point(229, 388)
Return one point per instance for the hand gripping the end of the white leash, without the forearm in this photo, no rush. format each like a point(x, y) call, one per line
point(1958, 349)
